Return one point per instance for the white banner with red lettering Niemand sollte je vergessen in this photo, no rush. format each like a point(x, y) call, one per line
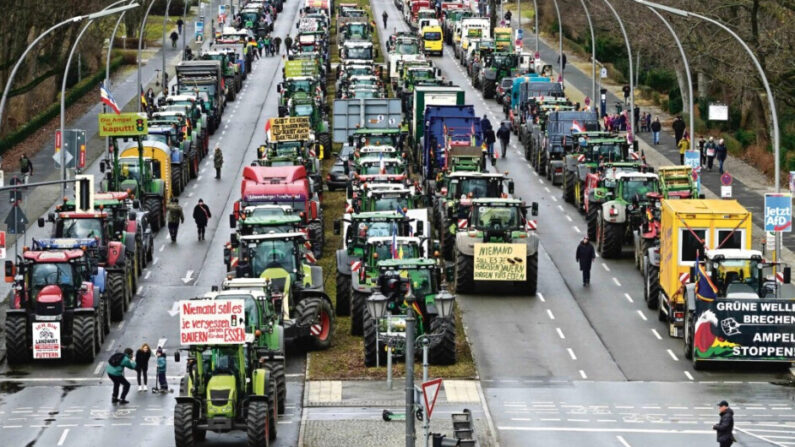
point(212, 322)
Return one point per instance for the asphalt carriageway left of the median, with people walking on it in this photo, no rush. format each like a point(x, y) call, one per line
point(59, 404)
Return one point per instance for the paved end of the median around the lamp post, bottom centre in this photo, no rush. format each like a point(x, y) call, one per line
point(350, 413)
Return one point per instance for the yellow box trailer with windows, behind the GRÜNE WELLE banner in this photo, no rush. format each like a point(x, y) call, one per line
point(687, 229)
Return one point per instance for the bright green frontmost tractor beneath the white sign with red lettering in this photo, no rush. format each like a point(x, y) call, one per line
point(225, 388)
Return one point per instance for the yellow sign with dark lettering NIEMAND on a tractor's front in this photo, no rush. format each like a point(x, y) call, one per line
point(500, 262)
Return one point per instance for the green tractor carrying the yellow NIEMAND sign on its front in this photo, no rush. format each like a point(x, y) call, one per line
point(497, 222)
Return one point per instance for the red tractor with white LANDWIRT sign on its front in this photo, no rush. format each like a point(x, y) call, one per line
point(58, 305)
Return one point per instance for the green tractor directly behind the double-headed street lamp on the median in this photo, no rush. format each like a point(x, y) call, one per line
point(433, 309)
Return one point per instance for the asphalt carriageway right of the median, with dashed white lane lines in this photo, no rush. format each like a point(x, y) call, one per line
point(544, 359)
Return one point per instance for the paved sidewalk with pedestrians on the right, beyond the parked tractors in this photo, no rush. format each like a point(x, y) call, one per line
point(749, 185)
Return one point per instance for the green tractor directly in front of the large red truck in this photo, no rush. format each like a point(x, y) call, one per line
point(286, 261)
